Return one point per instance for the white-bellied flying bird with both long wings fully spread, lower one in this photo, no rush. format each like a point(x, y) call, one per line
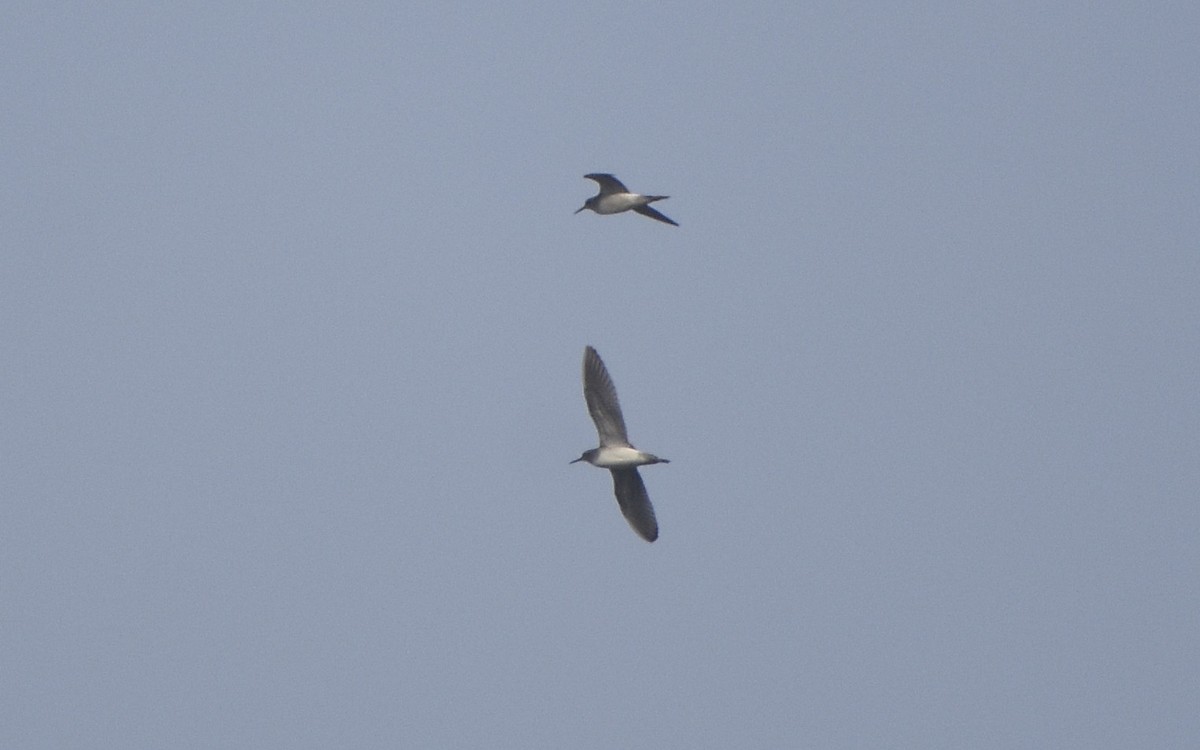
point(615, 453)
